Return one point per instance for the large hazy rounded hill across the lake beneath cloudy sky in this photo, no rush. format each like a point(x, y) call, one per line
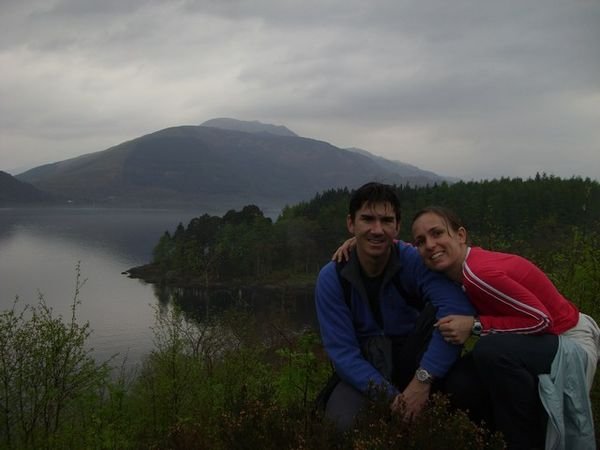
point(210, 168)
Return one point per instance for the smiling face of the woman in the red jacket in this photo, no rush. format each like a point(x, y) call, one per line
point(442, 249)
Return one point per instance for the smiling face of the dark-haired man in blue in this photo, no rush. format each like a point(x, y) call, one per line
point(375, 227)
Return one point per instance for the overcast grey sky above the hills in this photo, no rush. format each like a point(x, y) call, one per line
point(471, 89)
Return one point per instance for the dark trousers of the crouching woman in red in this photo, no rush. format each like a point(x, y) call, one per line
point(497, 382)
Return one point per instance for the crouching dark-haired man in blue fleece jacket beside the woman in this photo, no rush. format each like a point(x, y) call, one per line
point(376, 314)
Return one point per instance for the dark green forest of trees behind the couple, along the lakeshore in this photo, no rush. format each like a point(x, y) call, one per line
point(547, 219)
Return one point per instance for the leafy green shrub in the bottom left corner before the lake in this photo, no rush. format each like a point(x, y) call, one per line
point(50, 384)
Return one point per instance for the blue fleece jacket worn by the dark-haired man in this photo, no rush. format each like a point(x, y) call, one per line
point(343, 330)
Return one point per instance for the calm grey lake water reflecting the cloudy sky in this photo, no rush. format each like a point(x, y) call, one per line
point(40, 249)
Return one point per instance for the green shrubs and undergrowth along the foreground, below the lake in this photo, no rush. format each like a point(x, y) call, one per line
point(227, 383)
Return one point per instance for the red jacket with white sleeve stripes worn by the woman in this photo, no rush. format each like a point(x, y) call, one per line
point(512, 295)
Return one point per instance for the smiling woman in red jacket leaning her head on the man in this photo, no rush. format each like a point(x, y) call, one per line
point(520, 316)
